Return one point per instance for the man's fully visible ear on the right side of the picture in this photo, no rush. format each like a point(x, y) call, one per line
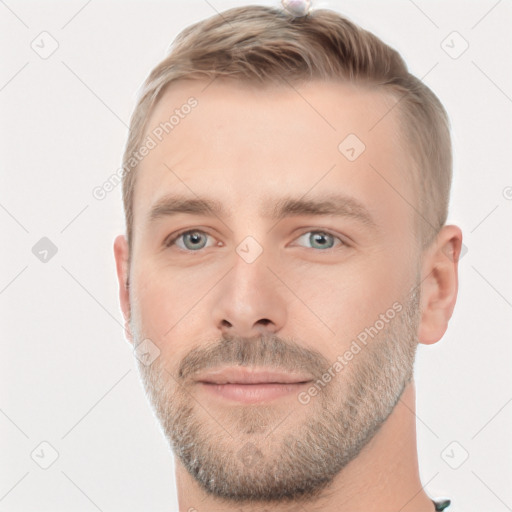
point(440, 284)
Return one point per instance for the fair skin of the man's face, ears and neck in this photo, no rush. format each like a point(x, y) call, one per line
point(246, 145)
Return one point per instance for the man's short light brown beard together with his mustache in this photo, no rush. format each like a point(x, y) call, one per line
point(260, 453)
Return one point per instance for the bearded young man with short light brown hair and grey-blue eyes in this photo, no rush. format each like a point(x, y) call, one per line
point(286, 190)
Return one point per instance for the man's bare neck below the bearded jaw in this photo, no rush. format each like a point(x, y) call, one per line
point(384, 476)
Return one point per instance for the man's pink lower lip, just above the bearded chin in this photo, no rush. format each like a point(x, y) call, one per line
point(252, 393)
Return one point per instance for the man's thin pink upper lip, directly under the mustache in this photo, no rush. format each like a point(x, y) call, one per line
point(247, 375)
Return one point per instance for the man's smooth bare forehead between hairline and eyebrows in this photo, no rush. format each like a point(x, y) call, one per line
point(244, 144)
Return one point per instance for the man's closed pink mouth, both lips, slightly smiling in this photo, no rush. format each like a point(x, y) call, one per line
point(251, 385)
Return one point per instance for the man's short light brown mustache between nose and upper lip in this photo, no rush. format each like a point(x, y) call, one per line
point(269, 351)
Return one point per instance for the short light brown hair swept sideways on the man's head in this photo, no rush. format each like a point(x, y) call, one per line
point(258, 44)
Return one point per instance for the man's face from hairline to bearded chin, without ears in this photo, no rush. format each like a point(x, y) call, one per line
point(293, 293)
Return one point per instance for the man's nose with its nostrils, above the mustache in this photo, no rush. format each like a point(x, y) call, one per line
point(250, 300)
